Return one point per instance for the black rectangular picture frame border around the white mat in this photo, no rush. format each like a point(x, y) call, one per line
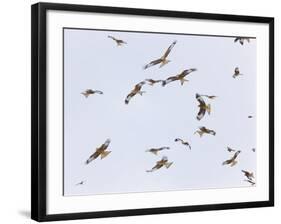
point(39, 108)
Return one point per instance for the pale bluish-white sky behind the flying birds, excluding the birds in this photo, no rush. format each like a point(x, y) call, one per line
point(91, 60)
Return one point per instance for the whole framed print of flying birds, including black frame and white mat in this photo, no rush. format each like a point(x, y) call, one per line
point(141, 111)
